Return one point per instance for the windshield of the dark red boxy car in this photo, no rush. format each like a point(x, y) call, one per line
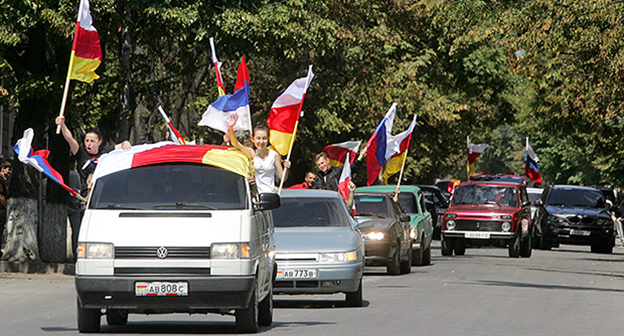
point(473, 194)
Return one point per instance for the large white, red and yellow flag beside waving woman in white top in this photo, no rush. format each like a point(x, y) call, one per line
point(285, 113)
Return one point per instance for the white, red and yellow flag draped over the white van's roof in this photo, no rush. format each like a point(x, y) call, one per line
point(224, 157)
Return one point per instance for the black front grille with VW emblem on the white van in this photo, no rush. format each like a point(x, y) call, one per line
point(151, 252)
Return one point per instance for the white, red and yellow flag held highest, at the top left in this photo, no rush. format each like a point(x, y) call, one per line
point(86, 54)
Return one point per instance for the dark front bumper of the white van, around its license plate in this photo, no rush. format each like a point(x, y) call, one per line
point(204, 294)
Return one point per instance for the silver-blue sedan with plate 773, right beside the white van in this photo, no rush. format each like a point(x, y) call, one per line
point(319, 249)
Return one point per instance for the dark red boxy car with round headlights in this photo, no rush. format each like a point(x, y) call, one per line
point(488, 213)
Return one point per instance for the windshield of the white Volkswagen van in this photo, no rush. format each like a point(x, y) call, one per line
point(170, 186)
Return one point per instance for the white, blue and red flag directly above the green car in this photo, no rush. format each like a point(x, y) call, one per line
point(381, 146)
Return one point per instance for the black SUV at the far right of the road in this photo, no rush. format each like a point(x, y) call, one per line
point(573, 215)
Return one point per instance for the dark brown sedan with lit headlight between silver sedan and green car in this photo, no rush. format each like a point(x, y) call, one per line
point(389, 241)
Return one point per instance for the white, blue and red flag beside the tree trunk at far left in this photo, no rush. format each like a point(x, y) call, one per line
point(39, 160)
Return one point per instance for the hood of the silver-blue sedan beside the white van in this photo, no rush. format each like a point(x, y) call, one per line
point(308, 239)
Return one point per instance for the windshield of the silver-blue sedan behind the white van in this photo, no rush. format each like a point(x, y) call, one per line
point(311, 212)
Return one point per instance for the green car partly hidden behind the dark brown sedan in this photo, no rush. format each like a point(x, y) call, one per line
point(413, 201)
